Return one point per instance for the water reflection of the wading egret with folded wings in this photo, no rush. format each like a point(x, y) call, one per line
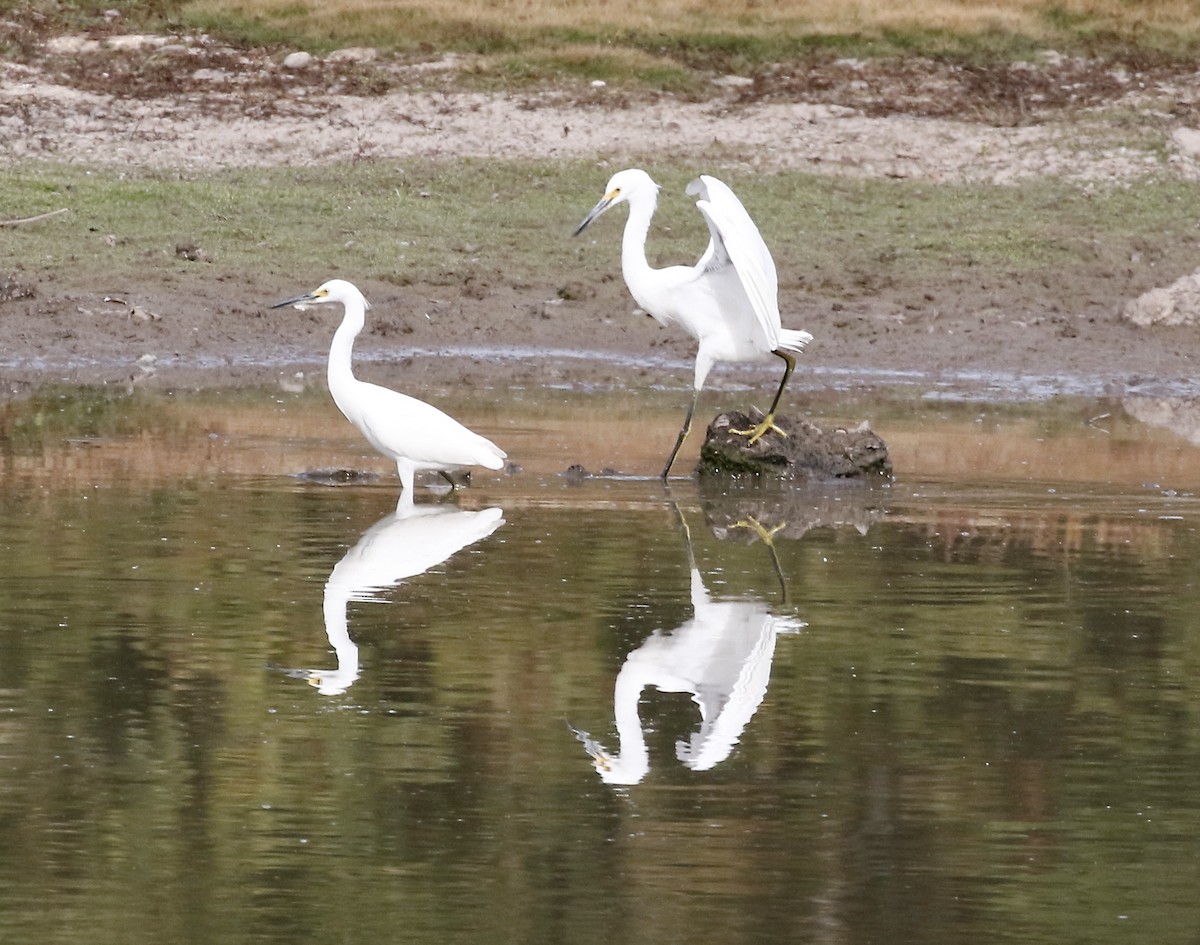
point(401, 545)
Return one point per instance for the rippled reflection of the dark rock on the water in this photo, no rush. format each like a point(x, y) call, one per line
point(790, 513)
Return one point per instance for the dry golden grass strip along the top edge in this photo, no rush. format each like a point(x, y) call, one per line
point(677, 45)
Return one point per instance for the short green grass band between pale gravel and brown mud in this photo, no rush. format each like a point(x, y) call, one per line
point(435, 221)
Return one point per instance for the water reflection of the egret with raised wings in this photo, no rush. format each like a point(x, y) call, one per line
point(722, 657)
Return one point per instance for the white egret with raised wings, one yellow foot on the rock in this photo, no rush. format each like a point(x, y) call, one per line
point(729, 302)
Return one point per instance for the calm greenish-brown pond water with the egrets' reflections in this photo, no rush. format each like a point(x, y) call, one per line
point(242, 707)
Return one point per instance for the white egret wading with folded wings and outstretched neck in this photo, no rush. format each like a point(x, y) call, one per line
point(416, 435)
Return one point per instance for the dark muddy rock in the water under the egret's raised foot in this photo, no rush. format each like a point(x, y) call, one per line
point(807, 453)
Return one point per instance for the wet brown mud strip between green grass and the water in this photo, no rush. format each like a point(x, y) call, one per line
point(195, 339)
